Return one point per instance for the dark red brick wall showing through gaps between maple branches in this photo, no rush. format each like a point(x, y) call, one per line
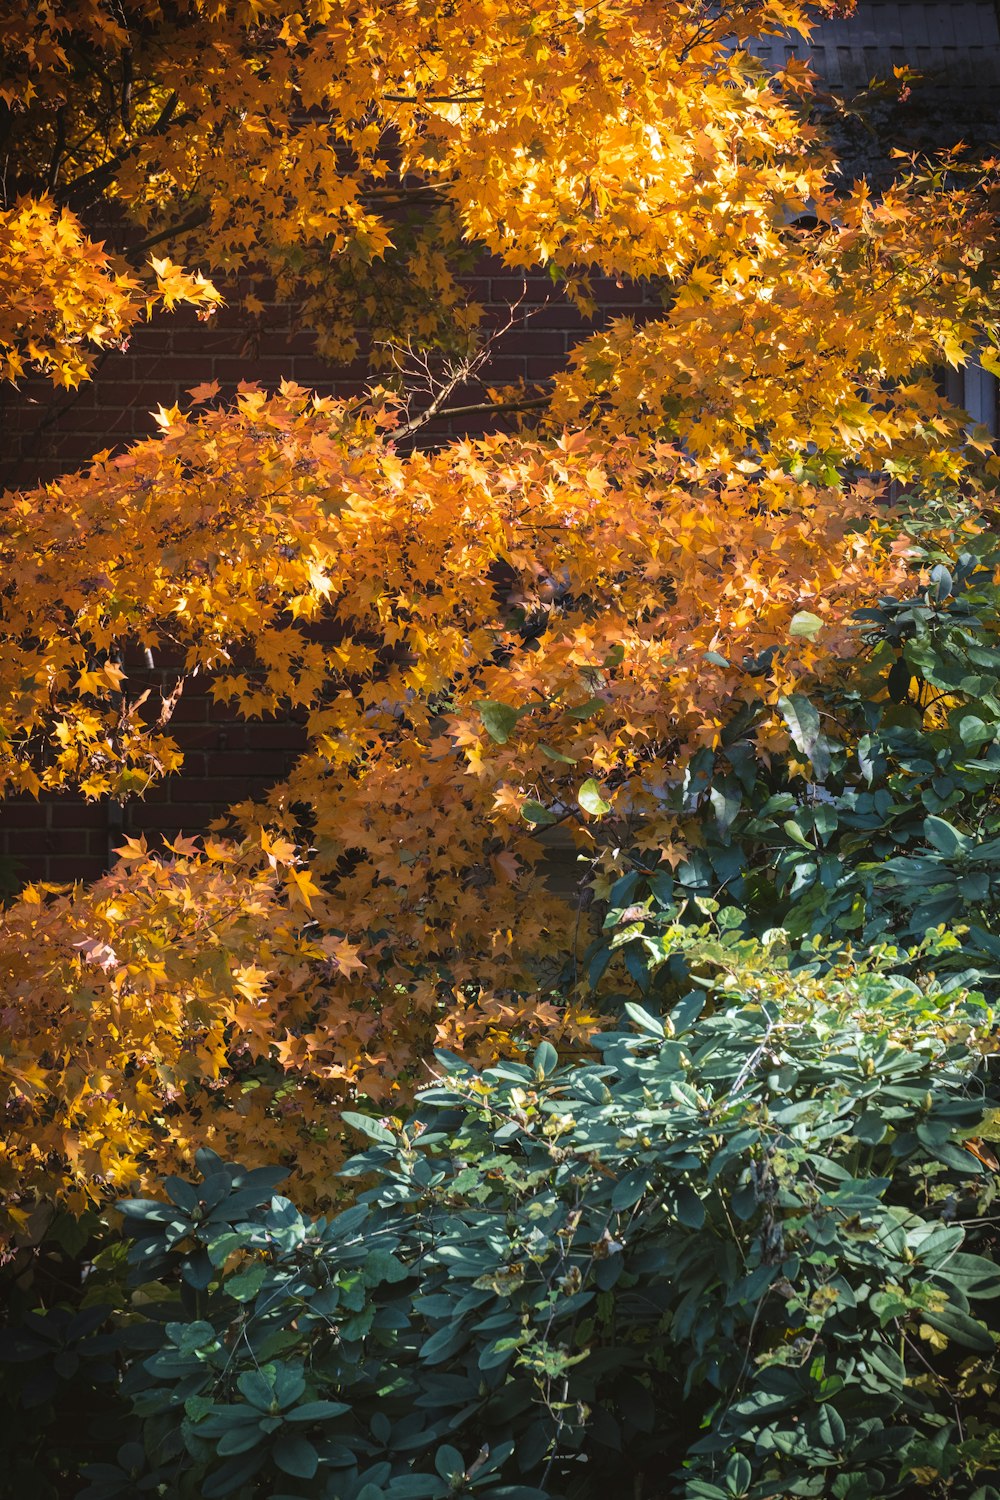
point(46, 436)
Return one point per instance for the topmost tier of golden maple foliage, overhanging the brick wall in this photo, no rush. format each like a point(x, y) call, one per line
point(358, 157)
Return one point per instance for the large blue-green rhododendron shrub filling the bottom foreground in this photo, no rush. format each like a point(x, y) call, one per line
point(744, 1252)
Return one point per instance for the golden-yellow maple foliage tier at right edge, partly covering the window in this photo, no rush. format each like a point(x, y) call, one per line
point(828, 343)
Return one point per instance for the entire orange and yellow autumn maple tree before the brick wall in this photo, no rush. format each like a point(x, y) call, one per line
point(488, 643)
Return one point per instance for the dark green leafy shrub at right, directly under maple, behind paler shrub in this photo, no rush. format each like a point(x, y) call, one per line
point(884, 817)
